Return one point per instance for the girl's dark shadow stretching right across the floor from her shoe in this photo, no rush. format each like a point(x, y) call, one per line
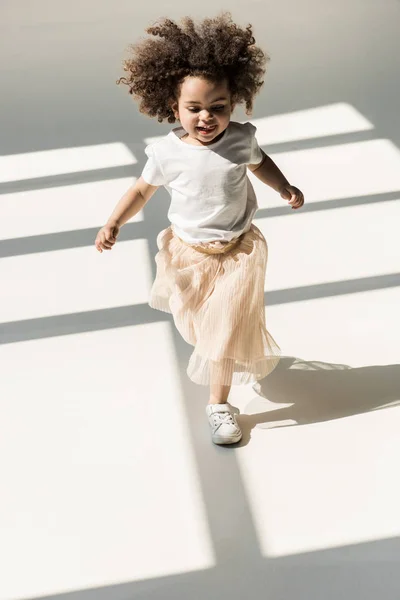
point(318, 392)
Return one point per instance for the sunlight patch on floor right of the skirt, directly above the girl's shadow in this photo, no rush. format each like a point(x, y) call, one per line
point(355, 329)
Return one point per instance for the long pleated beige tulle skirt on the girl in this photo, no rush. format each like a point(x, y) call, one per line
point(215, 292)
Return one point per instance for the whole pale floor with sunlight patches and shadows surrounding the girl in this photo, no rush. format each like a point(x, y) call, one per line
point(111, 488)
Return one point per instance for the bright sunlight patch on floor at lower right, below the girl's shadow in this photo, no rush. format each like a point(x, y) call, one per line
point(324, 485)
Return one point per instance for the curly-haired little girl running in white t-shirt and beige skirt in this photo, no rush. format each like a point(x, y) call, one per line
point(212, 259)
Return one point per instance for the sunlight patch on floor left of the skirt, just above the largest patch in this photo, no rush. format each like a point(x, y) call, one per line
point(74, 280)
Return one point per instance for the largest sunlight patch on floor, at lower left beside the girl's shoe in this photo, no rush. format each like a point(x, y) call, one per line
point(98, 474)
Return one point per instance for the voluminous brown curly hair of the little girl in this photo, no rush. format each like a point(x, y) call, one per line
point(215, 49)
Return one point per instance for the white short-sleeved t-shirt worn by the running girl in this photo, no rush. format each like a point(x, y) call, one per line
point(212, 197)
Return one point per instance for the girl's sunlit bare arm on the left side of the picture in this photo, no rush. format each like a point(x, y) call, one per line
point(129, 205)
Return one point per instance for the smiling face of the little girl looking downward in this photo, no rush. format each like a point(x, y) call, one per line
point(204, 109)
